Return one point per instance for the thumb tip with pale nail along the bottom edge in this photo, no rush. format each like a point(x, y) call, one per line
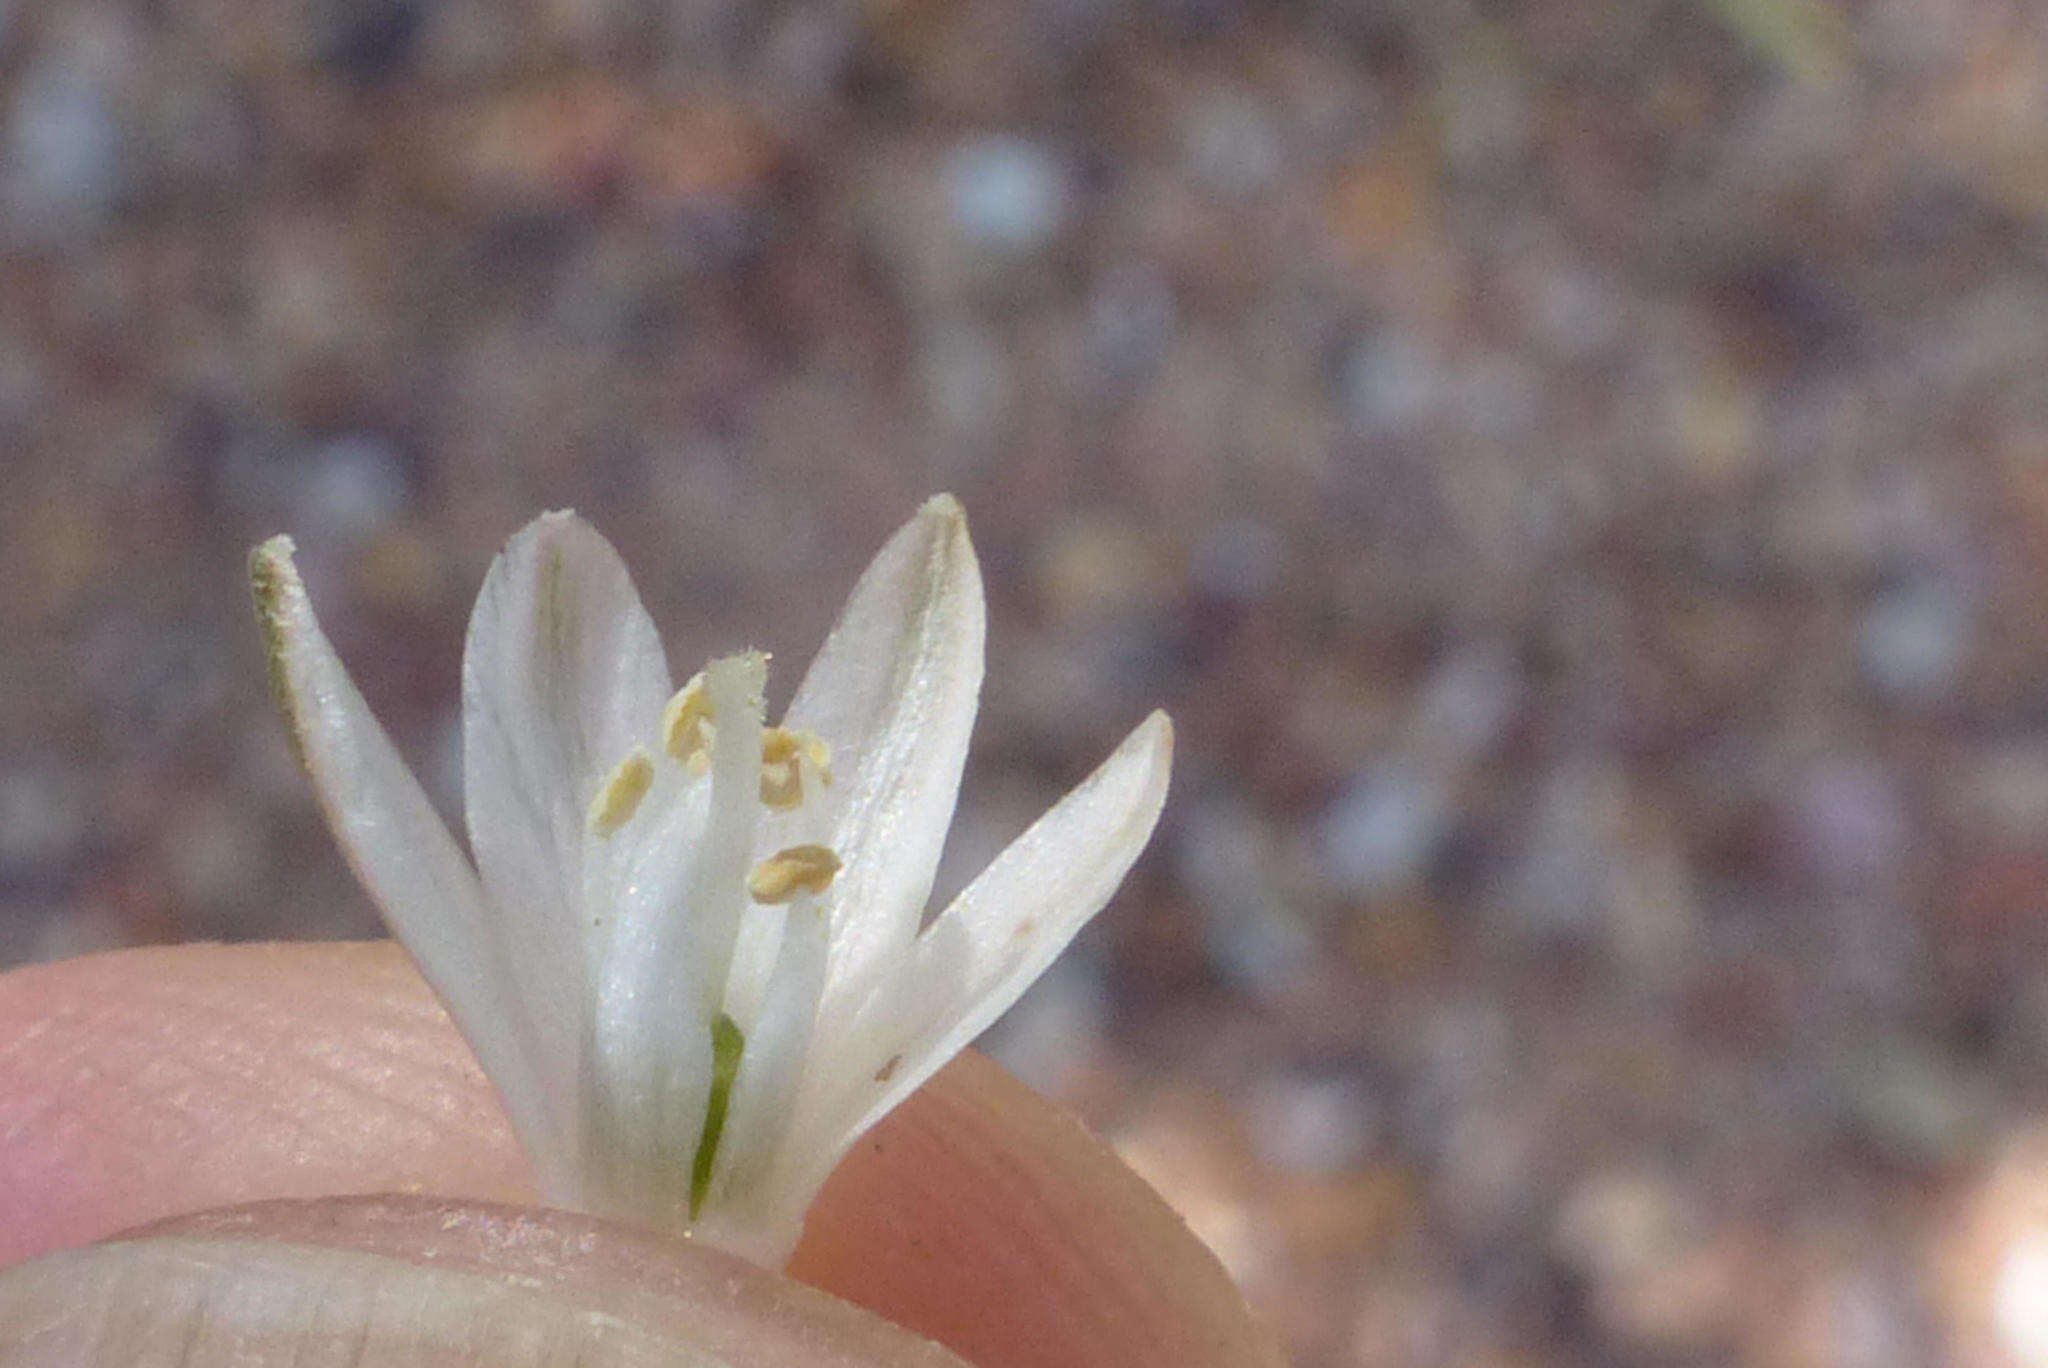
point(402, 1283)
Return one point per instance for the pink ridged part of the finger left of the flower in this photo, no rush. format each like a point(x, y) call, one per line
point(153, 1082)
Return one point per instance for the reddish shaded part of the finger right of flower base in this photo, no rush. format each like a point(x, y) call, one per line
point(996, 1224)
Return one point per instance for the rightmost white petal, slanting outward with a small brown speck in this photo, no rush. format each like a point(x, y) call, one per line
point(1013, 921)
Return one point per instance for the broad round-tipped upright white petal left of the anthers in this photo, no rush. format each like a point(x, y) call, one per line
point(562, 677)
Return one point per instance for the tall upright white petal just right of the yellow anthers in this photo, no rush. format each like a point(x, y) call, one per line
point(894, 695)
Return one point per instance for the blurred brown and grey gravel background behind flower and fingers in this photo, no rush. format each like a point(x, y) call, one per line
point(1576, 470)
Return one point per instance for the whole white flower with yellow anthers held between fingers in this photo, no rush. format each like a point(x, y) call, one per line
point(691, 951)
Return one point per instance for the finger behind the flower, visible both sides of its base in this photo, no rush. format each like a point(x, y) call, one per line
point(155, 1082)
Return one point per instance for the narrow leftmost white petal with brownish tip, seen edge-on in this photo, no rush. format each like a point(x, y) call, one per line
point(411, 865)
